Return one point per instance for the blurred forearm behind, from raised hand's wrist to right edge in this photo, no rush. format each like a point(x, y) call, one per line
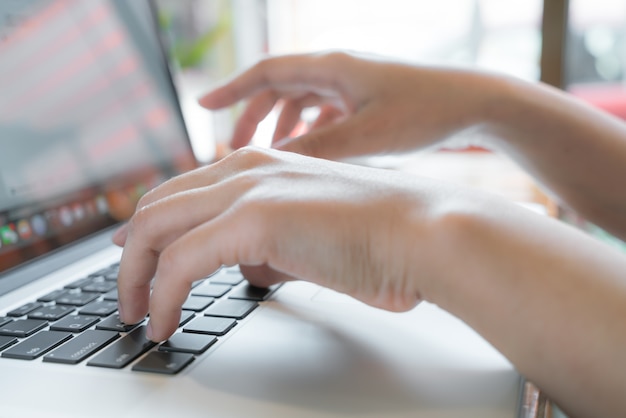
point(575, 151)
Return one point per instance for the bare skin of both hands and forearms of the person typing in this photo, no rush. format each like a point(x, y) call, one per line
point(547, 296)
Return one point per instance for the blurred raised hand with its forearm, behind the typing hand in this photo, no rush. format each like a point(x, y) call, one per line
point(375, 107)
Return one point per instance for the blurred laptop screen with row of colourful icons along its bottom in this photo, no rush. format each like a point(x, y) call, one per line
point(89, 120)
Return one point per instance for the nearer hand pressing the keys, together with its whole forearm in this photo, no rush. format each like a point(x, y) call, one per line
point(529, 284)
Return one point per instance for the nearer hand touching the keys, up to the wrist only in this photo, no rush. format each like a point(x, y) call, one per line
point(281, 216)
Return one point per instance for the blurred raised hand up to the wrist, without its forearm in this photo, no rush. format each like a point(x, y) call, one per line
point(366, 107)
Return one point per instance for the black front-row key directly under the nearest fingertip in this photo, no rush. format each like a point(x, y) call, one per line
point(123, 351)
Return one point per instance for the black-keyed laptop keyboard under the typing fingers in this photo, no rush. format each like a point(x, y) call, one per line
point(80, 324)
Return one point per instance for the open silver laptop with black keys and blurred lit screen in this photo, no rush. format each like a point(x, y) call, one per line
point(89, 121)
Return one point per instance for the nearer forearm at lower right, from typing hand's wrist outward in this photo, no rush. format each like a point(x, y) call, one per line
point(549, 298)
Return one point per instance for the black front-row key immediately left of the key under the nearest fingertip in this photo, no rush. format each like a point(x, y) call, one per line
point(81, 347)
